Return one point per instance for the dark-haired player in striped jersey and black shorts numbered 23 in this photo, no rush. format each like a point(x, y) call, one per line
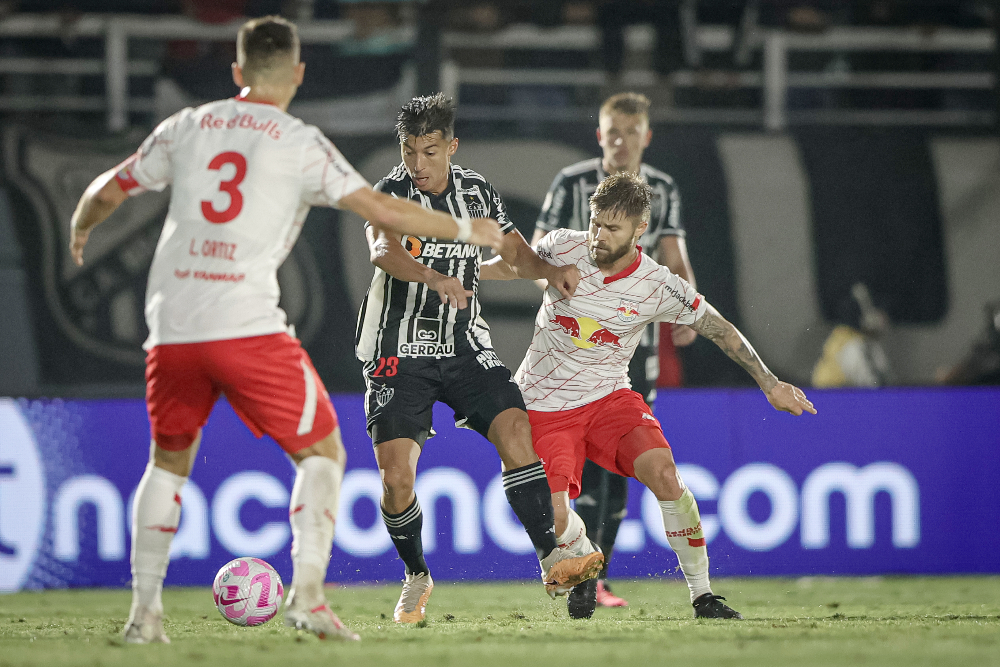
point(422, 339)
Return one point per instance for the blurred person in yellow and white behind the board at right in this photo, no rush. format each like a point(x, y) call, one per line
point(852, 354)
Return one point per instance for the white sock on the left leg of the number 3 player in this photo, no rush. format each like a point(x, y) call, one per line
point(155, 516)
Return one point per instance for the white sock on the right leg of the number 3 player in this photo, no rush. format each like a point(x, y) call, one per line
point(313, 515)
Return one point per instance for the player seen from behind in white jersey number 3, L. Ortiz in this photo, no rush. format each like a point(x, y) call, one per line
point(243, 174)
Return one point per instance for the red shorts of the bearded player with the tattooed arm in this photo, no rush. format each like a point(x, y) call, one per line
point(565, 439)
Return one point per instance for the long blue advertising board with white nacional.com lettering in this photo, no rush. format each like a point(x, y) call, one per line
point(890, 481)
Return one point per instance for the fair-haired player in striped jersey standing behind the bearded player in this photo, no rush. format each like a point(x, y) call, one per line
point(623, 135)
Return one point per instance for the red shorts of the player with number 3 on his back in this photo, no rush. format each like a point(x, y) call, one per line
point(269, 380)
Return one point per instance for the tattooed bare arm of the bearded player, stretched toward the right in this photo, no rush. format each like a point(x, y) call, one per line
point(781, 395)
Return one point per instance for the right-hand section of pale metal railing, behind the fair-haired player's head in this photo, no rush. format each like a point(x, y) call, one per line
point(775, 78)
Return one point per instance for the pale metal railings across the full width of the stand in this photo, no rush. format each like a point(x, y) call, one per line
point(774, 80)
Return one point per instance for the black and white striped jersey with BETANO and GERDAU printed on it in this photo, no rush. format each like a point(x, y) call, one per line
point(403, 319)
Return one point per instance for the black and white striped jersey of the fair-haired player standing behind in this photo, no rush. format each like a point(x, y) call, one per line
point(567, 205)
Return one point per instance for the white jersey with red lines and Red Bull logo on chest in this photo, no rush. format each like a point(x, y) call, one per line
point(581, 348)
